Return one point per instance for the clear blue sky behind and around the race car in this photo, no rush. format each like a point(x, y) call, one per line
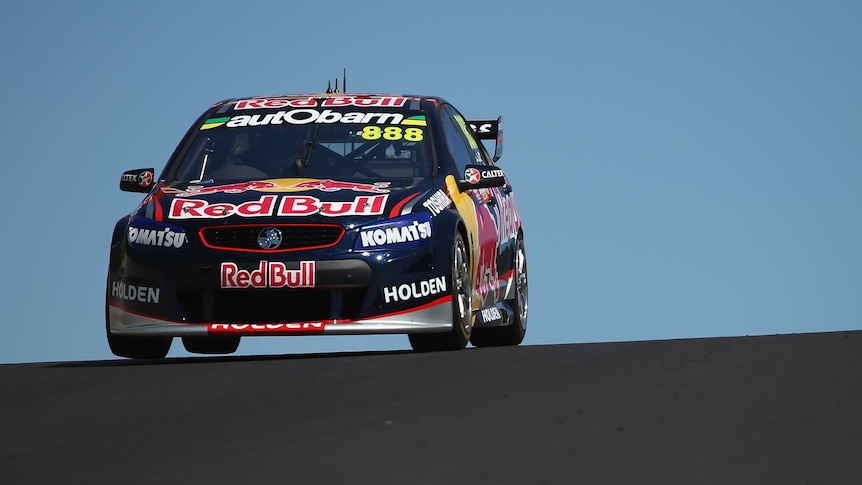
point(683, 168)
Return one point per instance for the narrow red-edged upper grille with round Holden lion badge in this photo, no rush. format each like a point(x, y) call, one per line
point(295, 236)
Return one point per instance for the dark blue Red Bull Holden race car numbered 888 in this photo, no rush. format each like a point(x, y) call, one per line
point(321, 214)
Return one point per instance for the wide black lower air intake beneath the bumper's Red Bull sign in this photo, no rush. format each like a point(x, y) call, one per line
point(271, 306)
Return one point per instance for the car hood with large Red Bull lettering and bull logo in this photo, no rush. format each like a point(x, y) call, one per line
point(291, 200)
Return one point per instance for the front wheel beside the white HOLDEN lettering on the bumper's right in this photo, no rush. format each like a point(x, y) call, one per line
point(462, 315)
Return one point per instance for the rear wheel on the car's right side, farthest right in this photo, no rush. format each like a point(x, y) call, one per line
point(514, 333)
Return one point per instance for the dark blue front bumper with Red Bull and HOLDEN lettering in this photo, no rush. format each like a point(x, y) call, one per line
point(308, 292)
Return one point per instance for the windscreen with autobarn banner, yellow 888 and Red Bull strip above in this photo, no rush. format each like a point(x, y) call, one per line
point(364, 139)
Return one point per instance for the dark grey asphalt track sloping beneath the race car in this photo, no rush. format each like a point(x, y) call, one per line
point(775, 409)
